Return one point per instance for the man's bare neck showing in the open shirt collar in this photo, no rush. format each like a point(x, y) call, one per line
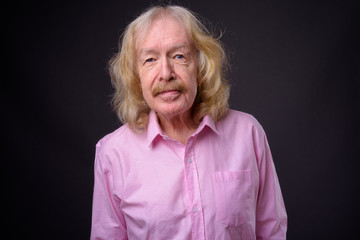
point(179, 128)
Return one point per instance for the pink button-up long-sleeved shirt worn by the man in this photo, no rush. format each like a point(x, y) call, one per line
point(221, 185)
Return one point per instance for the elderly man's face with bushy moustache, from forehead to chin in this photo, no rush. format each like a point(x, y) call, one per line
point(167, 67)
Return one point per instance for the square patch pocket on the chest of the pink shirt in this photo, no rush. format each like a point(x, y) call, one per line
point(232, 196)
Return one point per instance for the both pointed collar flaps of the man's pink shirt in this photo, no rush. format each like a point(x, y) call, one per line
point(154, 130)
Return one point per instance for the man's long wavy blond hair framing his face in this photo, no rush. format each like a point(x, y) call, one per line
point(213, 90)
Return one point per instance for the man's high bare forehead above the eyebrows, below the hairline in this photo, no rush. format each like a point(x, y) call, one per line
point(162, 32)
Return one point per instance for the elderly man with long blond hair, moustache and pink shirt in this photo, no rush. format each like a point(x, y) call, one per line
point(183, 166)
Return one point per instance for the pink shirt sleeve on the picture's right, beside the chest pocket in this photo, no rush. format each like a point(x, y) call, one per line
point(271, 217)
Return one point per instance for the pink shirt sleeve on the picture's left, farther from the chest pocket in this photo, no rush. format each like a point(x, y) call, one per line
point(108, 222)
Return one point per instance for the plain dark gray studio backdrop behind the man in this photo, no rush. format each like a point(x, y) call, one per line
point(295, 67)
